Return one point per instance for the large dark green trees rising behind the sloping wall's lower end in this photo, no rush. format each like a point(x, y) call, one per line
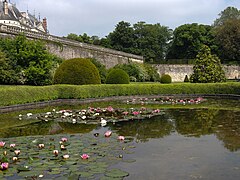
point(148, 40)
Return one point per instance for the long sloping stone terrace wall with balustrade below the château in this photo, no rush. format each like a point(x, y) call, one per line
point(67, 49)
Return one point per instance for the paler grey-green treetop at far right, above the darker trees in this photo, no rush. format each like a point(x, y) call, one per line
point(227, 14)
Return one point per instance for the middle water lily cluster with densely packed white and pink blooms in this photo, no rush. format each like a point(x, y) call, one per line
point(93, 115)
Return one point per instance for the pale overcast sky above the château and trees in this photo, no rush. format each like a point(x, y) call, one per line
point(99, 17)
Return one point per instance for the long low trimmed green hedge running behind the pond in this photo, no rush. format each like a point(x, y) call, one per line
point(11, 95)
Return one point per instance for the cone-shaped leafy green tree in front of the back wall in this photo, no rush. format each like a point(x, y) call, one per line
point(207, 68)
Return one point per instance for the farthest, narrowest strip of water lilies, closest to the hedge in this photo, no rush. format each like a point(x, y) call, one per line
point(165, 100)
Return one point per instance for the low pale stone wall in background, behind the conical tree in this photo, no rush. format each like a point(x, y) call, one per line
point(178, 72)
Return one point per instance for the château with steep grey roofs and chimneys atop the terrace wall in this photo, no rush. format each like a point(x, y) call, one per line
point(11, 16)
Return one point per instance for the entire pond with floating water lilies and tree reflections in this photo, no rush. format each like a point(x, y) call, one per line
point(160, 138)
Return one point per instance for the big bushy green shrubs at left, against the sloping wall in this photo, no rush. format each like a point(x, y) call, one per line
point(27, 62)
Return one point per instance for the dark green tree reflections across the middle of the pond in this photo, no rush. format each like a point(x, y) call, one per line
point(187, 122)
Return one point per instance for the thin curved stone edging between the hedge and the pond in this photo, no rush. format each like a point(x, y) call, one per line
point(35, 105)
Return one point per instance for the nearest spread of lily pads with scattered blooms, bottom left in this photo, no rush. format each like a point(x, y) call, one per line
point(44, 157)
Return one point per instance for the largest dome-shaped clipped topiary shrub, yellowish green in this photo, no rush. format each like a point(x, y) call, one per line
point(78, 71)
